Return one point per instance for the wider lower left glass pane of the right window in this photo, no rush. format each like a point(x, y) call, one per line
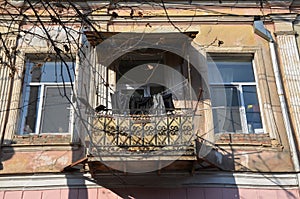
point(226, 109)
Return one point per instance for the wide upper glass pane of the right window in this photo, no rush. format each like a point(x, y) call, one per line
point(230, 71)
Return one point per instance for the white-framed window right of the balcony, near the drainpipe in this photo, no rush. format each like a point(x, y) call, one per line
point(234, 95)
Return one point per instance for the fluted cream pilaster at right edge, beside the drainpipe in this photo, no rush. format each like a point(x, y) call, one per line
point(290, 62)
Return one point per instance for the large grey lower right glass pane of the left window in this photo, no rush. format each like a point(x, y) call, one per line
point(56, 110)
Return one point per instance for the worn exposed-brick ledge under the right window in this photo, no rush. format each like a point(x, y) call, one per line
point(244, 139)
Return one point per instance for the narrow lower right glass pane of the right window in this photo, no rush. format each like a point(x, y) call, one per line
point(252, 109)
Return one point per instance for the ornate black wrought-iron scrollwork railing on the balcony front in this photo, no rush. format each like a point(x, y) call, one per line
point(113, 133)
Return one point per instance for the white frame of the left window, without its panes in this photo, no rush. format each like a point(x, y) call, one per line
point(41, 96)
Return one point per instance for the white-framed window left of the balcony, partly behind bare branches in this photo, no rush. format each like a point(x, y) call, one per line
point(47, 88)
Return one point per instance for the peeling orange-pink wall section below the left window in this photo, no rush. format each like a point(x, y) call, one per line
point(39, 159)
